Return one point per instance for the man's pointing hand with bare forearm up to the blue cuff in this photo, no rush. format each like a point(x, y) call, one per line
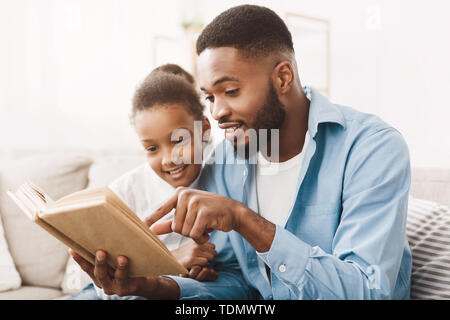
point(197, 213)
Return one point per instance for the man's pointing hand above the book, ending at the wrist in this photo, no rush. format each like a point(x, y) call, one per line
point(197, 213)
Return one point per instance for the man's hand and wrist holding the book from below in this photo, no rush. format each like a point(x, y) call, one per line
point(121, 284)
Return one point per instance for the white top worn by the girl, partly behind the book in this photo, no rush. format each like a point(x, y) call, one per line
point(143, 191)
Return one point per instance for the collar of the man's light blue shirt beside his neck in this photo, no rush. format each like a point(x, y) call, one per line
point(321, 111)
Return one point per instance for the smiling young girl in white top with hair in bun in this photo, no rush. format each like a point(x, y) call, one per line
point(165, 108)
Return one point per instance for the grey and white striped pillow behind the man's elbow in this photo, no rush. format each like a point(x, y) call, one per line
point(428, 230)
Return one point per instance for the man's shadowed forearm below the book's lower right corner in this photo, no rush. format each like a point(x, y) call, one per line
point(160, 288)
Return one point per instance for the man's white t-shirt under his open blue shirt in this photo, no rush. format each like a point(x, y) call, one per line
point(276, 185)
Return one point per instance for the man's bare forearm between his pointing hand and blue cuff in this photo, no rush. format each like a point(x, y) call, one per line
point(255, 229)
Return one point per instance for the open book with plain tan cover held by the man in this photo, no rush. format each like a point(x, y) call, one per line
point(96, 218)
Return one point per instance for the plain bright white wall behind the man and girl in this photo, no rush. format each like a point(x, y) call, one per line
point(69, 68)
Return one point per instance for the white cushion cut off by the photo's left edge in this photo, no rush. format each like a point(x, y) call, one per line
point(9, 277)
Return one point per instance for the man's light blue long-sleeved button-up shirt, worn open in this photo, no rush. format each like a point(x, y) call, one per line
point(345, 237)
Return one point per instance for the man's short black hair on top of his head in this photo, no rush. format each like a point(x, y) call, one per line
point(254, 30)
